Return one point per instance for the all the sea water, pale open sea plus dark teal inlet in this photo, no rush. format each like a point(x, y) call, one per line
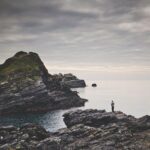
point(130, 96)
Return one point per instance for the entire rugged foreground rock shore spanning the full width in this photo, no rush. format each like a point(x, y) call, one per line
point(87, 130)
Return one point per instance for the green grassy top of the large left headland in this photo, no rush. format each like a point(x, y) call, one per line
point(26, 63)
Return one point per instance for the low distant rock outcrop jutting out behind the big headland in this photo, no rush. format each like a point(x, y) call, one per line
point(71, 81)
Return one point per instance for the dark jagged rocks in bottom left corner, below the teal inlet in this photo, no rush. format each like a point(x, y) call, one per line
point(26, 137)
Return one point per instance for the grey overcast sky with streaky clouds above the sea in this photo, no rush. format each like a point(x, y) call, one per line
point(105, 38)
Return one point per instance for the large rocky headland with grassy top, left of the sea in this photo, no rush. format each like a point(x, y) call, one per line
point(26, 86)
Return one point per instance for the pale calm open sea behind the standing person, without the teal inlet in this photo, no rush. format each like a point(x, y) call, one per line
point(130, 96)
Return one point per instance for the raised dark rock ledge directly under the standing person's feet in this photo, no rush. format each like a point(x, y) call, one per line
point(95, 118)
